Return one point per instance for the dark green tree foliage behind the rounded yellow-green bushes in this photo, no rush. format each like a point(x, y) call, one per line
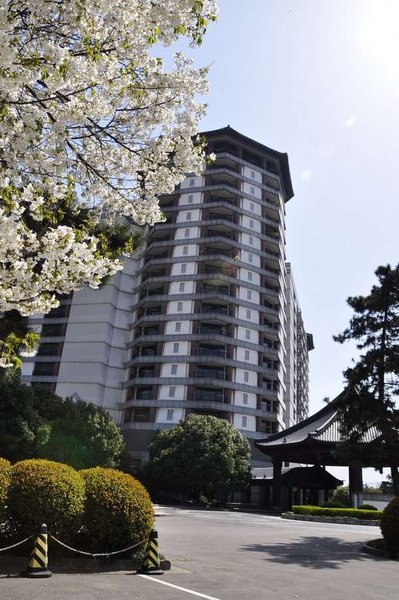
point(35, 423)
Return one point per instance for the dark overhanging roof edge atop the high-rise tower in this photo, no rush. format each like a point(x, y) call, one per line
point(281, 157)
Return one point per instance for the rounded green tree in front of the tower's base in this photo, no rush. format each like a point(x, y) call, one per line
point(201, 455)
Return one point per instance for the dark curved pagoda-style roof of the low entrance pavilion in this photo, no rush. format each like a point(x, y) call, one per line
point(316, 439)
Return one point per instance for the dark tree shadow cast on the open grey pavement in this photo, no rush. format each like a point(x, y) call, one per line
point(311, 552)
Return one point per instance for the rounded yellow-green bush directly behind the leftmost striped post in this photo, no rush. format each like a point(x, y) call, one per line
point(42, 491)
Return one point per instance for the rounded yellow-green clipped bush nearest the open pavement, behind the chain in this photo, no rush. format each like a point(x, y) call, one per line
point(118, 509)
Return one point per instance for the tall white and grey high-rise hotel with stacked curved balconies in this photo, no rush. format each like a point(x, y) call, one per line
point(205, 320)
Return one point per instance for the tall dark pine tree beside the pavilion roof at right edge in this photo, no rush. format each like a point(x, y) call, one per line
point(375, 375)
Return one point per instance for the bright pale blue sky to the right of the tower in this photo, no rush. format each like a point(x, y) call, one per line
point(319, 79)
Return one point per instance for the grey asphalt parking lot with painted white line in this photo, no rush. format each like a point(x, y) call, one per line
point(231, 556)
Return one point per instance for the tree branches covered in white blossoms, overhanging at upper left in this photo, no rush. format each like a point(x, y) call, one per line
point(93, 128)
